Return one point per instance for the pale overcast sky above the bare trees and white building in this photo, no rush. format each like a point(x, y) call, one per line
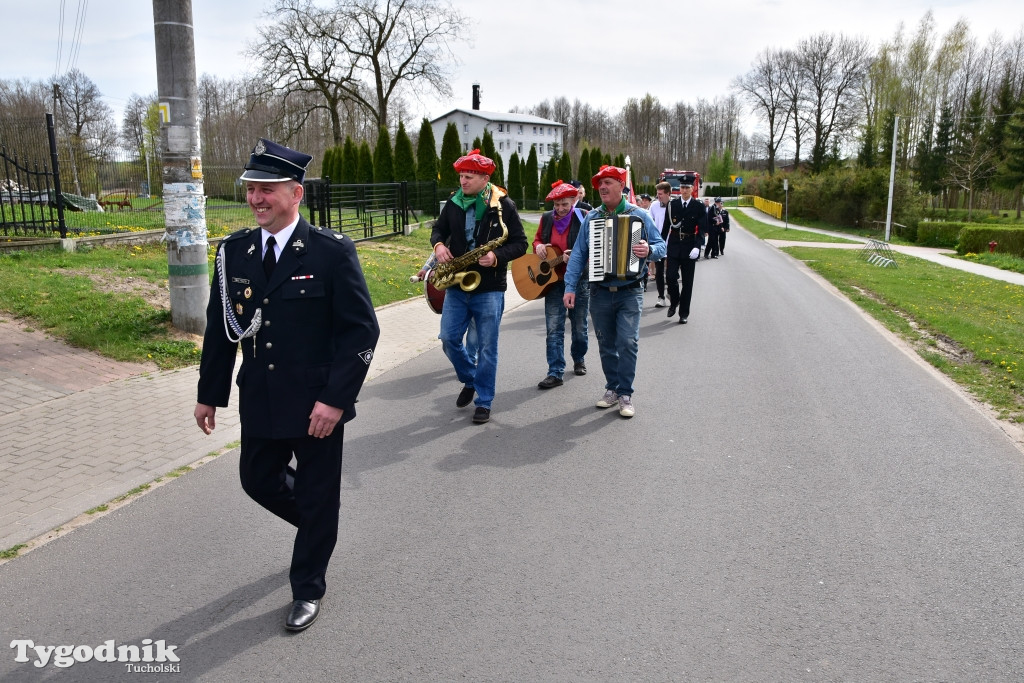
point(524, 52)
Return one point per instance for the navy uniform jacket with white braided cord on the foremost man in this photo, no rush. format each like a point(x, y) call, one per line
point(316, 341)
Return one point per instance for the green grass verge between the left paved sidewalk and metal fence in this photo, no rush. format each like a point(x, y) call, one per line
point(54, 290)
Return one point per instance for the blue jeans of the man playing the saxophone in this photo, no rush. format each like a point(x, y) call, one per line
point(485, 310)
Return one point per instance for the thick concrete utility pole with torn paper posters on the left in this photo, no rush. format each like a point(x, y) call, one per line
point(185, 203)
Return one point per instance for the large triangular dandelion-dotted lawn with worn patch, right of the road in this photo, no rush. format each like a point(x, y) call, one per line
point(967, 326)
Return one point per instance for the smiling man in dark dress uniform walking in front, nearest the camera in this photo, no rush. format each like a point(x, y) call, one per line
point(295, 297)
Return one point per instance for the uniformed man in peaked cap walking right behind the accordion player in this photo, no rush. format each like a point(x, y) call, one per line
point(689, 225)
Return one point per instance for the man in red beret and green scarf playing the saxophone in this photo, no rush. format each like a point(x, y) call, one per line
point(480, 218)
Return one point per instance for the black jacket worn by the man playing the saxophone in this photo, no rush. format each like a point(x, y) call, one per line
point(450, 229)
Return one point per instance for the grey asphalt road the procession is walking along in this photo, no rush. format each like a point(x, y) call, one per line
point(797, 499)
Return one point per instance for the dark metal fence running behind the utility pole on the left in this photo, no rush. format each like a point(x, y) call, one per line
point(120, 191)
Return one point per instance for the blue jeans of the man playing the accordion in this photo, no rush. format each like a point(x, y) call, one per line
point(617, 324)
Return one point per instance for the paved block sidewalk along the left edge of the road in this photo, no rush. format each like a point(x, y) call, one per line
point(79, 431)
